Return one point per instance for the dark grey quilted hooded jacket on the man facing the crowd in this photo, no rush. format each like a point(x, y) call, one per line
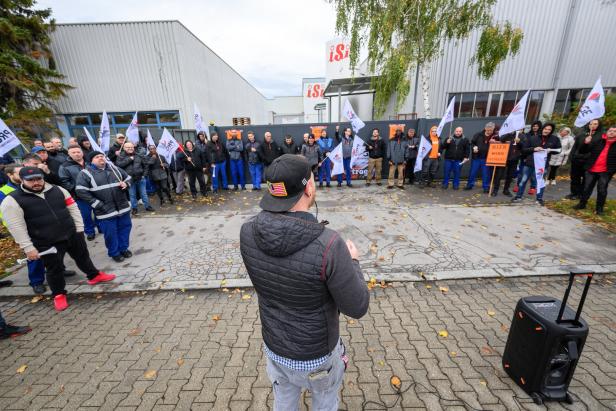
point(304, 276)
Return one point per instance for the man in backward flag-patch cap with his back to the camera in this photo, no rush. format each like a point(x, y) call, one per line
point(304, 275)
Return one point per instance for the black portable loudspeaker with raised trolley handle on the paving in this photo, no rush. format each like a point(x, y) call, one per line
point(544, 345)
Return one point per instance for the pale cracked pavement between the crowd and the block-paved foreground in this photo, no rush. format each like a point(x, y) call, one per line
point(403, 235)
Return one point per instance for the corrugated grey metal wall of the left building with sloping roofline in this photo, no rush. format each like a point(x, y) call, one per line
point(149, 66)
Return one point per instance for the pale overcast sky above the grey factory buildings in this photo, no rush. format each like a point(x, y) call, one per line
point(272, 43)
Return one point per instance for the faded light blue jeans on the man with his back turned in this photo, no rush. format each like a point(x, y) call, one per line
point(324, 383)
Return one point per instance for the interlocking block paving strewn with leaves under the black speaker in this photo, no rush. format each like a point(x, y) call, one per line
point(167, 350)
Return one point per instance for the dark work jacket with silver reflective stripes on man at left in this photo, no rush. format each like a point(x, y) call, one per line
point(101, 189)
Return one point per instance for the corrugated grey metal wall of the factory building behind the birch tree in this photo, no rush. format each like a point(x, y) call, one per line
point(589, 52)
